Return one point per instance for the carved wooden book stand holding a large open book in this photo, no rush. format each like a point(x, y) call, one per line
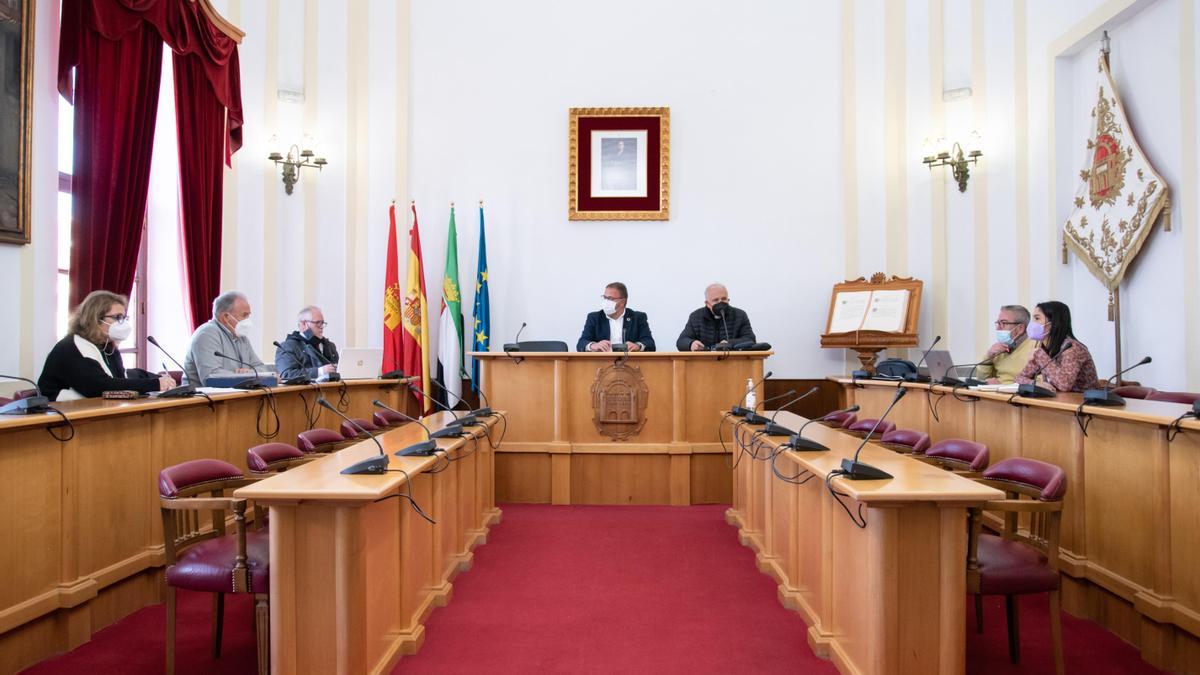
point(869, 316)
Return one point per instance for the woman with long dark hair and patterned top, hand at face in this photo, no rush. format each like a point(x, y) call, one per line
point(1060, 360)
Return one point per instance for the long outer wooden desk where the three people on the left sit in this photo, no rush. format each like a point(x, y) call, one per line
point(83, 534)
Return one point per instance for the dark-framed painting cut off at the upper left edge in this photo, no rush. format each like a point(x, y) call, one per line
point(16, 100)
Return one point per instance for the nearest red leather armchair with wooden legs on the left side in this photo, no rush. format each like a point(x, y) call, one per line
point(212, 561)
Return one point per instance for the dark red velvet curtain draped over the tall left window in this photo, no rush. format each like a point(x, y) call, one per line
point(116, 50)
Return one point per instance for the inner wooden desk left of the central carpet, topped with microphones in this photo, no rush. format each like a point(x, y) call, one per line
point(355, 575)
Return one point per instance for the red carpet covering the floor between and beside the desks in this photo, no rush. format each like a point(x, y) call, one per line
point(602, 589)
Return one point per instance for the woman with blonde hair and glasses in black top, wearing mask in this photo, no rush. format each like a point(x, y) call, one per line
point(88, 362)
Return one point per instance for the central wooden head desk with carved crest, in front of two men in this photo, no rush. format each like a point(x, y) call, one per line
point(555, 455)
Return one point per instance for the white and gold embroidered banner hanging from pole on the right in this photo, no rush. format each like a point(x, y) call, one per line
point(1120, 196)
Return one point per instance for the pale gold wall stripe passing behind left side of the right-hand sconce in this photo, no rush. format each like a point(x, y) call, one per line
point(939, 259)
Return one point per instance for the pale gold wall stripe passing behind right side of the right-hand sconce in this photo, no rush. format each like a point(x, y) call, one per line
point(980, 178)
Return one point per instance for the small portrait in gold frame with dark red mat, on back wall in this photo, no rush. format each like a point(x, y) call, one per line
point(620, 164)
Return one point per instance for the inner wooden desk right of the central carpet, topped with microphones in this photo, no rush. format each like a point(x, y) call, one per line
point(889, 598)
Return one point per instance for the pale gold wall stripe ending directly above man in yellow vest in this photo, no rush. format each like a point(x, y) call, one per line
point(1022, 152)
